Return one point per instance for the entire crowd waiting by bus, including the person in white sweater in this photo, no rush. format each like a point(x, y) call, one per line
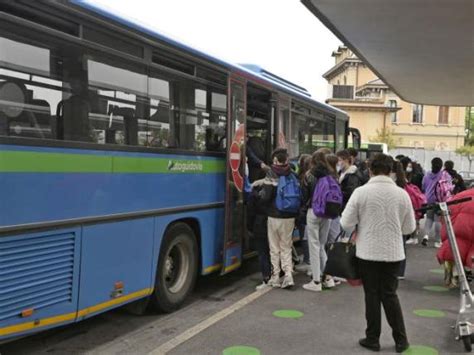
point(337, 194)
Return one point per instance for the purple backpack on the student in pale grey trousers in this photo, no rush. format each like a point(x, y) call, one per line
point(327, 198)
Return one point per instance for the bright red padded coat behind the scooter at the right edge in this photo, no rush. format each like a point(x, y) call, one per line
point(463, 225)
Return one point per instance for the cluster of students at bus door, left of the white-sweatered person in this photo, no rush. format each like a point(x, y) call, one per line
point(310, 198)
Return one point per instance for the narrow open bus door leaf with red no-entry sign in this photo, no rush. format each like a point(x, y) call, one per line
point(235, 180)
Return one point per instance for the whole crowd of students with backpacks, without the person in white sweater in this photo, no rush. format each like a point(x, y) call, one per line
point(309, 186)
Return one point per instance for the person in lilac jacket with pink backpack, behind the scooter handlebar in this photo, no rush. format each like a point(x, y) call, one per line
point(430, 181)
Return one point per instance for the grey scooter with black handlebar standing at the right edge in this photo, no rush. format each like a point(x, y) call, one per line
point(464, 327)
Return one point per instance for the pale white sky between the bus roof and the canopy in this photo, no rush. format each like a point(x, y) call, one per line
point(281, 36)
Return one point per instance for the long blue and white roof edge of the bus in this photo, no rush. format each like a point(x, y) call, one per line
point(249, 70)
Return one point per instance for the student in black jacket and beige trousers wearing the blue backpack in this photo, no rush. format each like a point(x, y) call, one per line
point(280, 224)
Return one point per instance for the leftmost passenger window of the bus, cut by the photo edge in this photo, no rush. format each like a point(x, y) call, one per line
point(27, 94)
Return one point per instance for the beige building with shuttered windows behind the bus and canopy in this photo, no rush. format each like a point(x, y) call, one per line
point(373, 107)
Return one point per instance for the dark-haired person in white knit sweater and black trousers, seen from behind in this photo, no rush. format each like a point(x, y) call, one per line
point(383, 213)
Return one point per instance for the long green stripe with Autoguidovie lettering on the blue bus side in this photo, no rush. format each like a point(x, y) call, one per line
point(39, 162)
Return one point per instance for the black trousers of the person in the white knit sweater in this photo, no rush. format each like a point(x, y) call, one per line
point(380, 288)
